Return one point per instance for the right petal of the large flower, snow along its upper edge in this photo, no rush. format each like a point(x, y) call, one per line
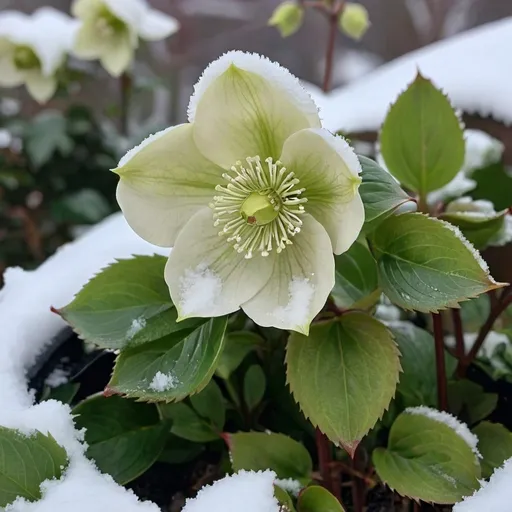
point(328, 170)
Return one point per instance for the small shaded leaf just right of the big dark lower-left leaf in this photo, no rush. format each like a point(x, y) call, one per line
point(188, 424)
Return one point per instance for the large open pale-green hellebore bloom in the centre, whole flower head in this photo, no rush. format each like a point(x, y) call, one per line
point(252, 193)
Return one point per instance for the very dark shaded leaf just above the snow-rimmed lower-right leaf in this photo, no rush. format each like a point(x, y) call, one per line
point(469, 402)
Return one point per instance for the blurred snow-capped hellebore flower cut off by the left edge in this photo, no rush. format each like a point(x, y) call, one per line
point(33, 49)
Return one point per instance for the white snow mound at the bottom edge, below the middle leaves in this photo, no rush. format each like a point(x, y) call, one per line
point(249, 491)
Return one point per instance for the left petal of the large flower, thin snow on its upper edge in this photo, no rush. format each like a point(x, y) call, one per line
point(164, 181)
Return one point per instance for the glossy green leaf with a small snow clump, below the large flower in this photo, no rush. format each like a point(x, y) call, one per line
point(170, 368)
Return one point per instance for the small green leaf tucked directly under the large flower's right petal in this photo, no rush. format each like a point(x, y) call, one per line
point(356, 283)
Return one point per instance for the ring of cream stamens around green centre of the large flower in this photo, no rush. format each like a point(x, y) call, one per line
point(259, 208)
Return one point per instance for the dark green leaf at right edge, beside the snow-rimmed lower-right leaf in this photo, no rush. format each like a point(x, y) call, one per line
point(494, 444)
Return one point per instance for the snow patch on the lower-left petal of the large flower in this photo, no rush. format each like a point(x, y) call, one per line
point(200, 288)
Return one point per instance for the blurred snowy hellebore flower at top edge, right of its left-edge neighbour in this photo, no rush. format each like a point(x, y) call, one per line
point(110, 30)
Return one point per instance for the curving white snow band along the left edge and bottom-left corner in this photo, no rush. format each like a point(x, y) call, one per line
point(27, 327)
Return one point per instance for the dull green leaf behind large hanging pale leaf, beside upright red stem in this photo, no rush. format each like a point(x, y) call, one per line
point(418, 382)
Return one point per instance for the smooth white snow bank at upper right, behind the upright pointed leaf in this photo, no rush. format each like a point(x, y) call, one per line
point(470, 67)
